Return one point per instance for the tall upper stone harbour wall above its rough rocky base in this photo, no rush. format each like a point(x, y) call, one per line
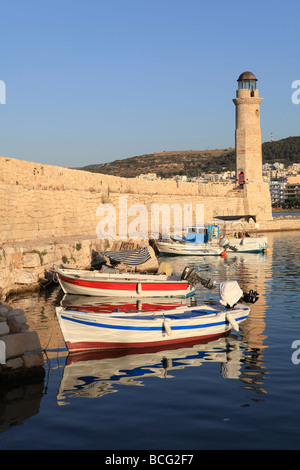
point(43, 201)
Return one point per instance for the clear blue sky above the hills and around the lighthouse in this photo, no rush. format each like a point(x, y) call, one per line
point(92, 81)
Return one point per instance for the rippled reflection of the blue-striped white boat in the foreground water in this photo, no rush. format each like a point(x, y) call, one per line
point(96, 374)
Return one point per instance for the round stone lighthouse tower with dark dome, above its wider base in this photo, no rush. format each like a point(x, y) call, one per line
point(247, 130)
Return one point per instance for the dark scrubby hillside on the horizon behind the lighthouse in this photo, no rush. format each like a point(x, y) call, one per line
point(195, 162)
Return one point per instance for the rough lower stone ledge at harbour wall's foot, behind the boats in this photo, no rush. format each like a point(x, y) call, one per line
point(29, 265)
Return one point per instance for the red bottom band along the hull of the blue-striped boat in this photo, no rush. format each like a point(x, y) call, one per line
point(94, 346)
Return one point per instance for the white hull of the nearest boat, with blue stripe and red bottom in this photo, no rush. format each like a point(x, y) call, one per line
point(85, 331)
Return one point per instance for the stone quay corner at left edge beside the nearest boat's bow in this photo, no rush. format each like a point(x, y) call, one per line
point(20, 349)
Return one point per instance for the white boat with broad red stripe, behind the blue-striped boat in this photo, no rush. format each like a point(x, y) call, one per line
point(95, 283)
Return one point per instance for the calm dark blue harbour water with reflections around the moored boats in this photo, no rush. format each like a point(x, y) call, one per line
point(240, 392)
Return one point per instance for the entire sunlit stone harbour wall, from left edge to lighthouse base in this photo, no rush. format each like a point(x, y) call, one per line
point(49, 215)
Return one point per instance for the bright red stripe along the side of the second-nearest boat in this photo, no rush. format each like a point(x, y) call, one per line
point(126, 286)
